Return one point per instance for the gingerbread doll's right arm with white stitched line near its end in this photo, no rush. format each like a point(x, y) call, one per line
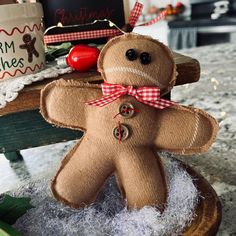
point(185, 130)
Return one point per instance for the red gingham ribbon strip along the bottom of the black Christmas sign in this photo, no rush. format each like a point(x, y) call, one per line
point(56, 38)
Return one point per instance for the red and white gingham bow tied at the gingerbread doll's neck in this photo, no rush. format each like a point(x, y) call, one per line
point(147, 95)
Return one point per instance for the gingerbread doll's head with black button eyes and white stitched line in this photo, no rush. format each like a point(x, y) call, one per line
point(137, 60)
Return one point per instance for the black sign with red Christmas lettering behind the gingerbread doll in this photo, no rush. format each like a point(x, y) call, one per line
point(78, 16)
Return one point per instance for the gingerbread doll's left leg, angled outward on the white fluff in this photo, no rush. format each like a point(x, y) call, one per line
point(82, 174)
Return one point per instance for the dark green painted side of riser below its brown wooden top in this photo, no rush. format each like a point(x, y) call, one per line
point(28, 129)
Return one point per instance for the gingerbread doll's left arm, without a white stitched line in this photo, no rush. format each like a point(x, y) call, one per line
point(63, 102)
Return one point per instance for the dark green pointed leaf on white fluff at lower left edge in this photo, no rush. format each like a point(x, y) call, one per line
point(12, 208)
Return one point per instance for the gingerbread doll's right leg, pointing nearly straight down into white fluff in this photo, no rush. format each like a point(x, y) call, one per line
point(141, 178)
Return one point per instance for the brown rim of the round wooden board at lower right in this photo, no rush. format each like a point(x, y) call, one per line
point(208, 211)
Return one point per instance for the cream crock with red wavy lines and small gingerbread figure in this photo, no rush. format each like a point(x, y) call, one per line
point(21, 39)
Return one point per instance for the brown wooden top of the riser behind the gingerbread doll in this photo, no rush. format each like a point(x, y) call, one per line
point(28, 99)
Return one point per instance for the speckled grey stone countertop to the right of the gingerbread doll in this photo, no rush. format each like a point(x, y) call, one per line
point(216, 93)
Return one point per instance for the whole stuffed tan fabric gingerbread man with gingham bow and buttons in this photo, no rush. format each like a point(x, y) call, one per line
point(126, 121)
